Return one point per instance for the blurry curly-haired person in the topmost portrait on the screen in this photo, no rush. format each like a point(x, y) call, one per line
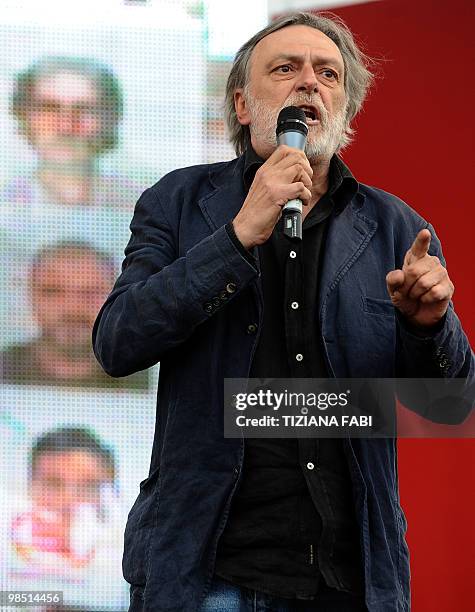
point(69, 110)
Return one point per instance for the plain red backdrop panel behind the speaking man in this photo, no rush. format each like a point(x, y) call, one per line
point(415, 139)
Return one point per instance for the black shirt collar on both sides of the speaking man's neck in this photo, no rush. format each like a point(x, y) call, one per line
point(342, 185)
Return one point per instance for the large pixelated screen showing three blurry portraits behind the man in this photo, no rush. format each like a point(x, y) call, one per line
point(93, 110)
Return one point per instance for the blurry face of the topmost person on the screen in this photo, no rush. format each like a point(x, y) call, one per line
point(63, 123)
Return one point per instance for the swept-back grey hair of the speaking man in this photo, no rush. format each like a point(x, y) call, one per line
point(357, 81)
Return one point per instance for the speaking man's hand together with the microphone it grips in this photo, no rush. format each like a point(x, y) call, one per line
point(286, 176)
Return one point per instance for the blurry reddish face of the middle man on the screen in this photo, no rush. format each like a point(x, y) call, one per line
point(67, 291)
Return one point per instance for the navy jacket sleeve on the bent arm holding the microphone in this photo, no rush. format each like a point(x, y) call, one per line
point(160, 298)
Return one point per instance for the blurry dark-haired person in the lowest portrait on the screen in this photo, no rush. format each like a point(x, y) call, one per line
point(69, 535)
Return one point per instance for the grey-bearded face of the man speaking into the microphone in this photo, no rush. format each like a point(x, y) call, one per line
point(295, 66)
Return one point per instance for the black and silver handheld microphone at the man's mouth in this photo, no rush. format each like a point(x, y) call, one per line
point(292, 131)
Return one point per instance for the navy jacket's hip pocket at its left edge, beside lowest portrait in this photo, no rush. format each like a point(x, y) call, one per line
point(138, 530)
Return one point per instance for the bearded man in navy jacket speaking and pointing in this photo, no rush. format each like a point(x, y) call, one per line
point(212, 290)
